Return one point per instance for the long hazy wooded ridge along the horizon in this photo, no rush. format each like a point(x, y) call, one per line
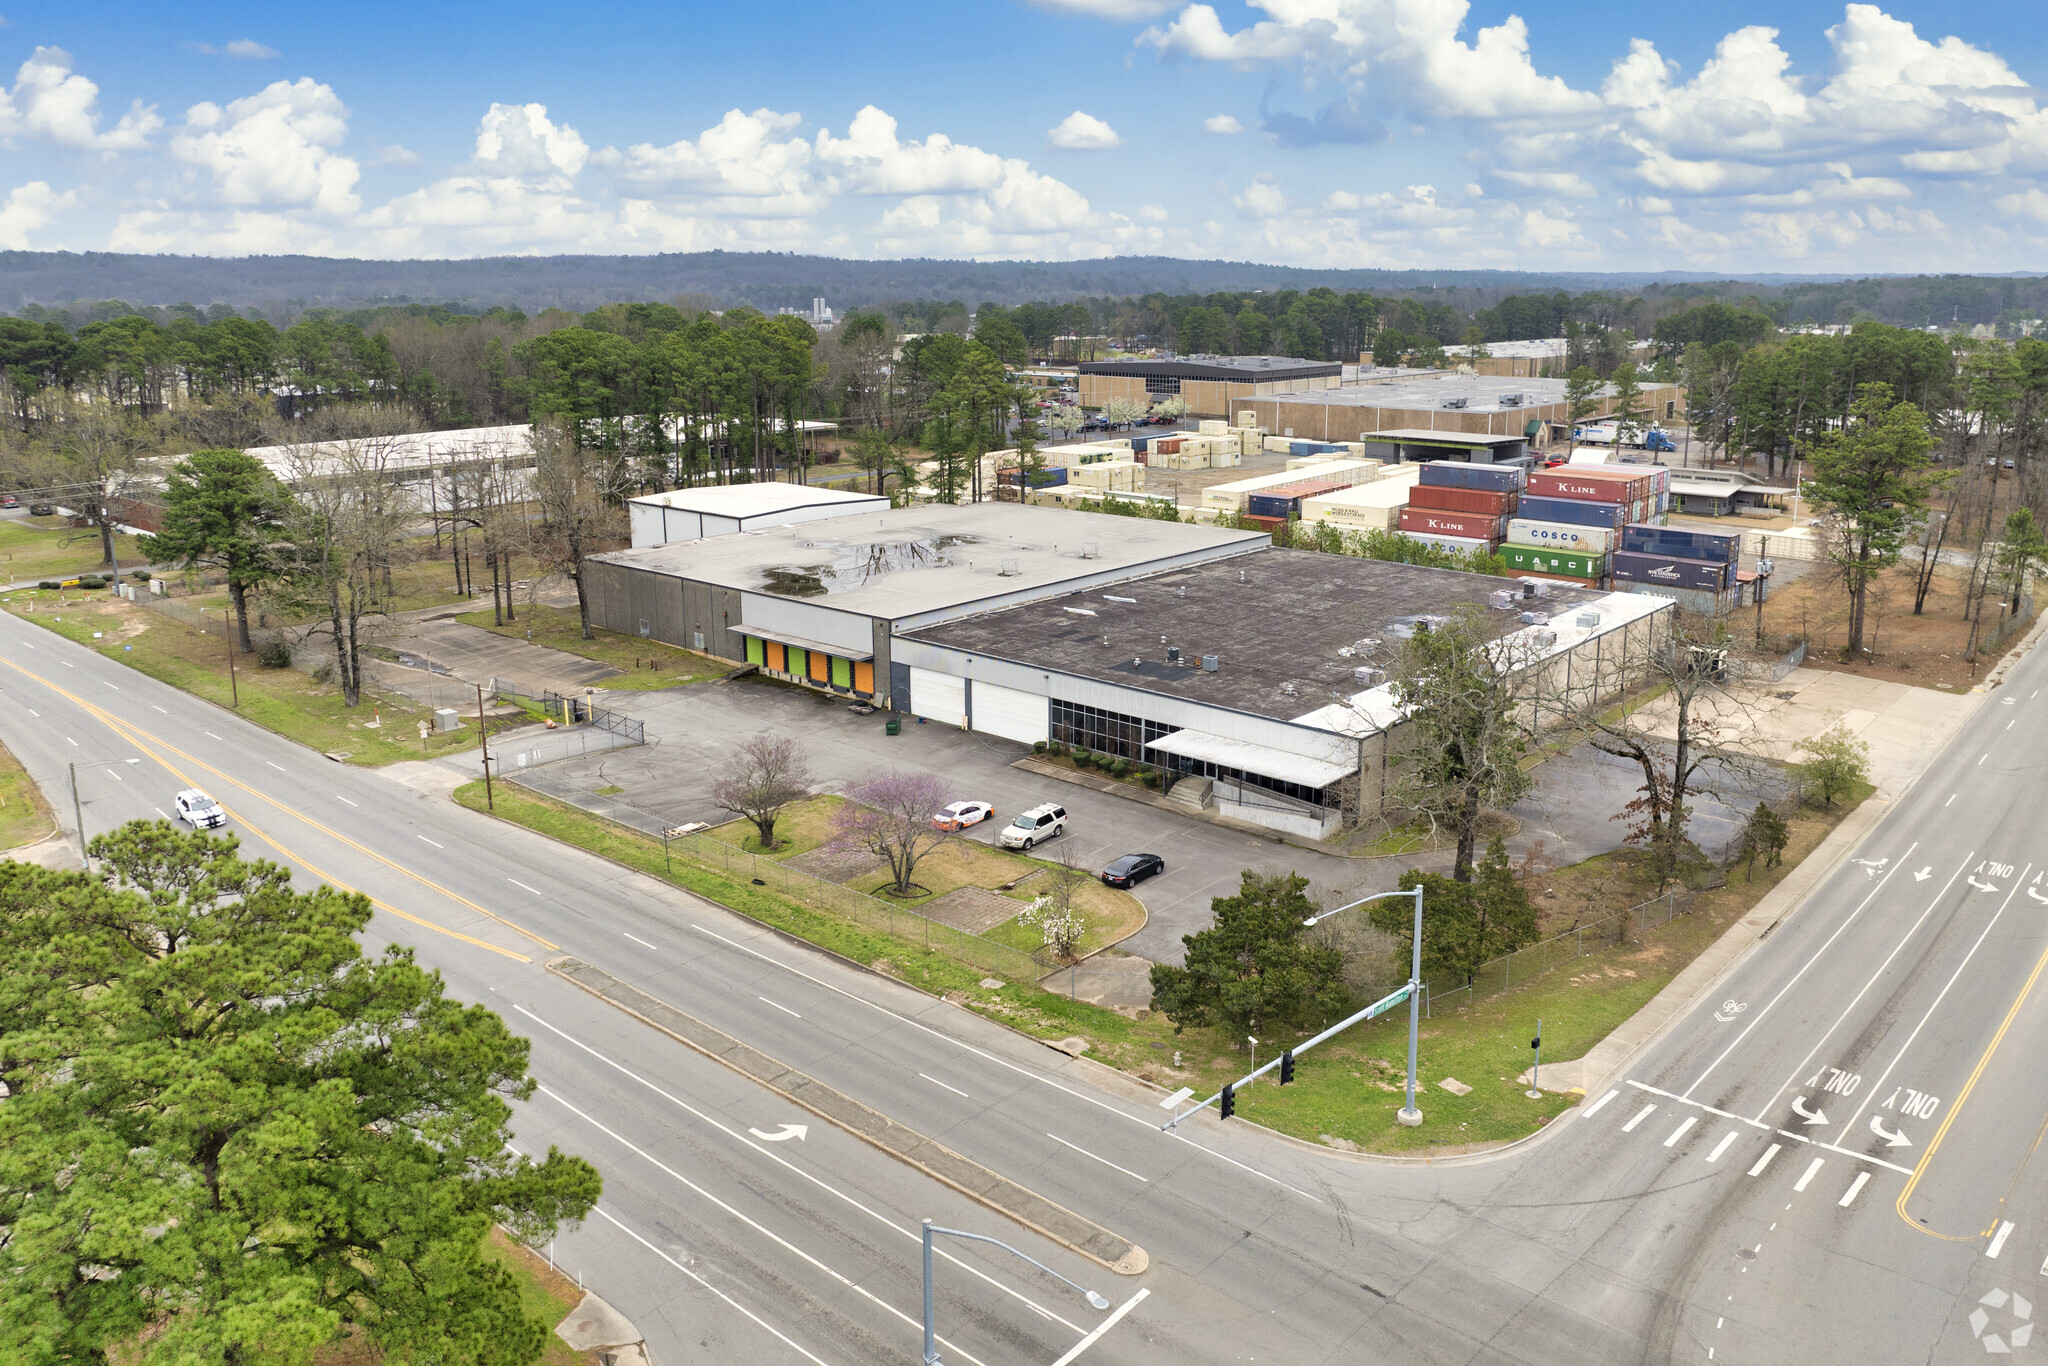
point(763, 280)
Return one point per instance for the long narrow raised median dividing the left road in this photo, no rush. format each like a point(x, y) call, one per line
point(900, 1142)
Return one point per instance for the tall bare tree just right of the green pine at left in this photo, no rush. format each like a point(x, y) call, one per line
point(349, 525)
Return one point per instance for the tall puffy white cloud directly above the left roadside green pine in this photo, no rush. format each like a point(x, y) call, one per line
point(273, 148)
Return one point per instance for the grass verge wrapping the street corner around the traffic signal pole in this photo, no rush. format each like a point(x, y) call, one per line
point(1351, 1088)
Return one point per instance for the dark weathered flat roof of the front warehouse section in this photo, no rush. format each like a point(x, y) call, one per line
point(1275, 617)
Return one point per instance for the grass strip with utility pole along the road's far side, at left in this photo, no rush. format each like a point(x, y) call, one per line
point(284, 701)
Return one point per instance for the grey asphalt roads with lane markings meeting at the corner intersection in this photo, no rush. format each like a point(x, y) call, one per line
point(1828, 1158)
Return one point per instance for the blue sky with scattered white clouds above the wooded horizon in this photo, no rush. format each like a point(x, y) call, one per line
point(1707, 136)
